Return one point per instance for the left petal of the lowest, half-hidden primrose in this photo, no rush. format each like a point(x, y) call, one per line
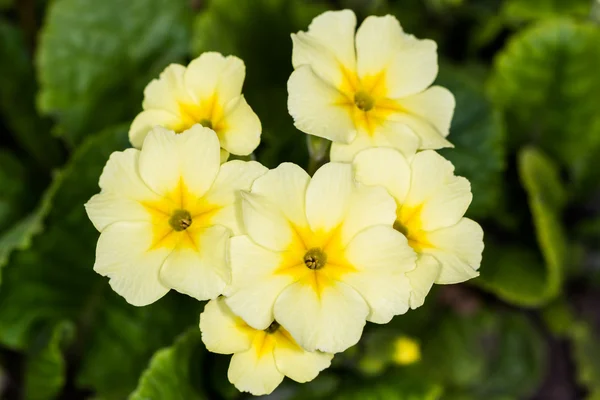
point(222, 331)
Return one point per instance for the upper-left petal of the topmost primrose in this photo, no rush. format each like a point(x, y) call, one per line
point(328, 44)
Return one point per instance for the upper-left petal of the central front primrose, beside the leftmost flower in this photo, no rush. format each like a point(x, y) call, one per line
point(286, 186)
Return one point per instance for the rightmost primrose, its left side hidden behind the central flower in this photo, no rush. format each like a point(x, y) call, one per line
point(431, 202)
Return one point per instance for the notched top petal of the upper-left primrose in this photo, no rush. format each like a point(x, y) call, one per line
point(213, 74)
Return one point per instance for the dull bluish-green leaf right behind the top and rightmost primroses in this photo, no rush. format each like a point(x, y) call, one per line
point(478, 135)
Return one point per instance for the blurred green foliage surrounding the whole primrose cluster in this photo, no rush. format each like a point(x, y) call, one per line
point(526, 76)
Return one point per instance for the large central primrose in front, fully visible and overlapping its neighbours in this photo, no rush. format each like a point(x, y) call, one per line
point(320, 257)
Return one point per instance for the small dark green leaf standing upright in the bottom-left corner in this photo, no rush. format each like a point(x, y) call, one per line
point(45, 372)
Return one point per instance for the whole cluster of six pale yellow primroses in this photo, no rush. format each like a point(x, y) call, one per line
point(293, 265)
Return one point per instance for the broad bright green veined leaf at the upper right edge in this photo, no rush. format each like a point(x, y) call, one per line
point(546, 82)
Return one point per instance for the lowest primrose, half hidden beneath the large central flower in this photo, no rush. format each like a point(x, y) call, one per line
point(261, 358)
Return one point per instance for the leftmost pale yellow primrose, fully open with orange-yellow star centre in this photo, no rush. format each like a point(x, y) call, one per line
point(166, 214)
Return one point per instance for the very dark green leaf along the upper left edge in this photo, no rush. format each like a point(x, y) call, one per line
point(17, 99)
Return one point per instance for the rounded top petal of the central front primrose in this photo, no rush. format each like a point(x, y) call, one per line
point(328, 196)
